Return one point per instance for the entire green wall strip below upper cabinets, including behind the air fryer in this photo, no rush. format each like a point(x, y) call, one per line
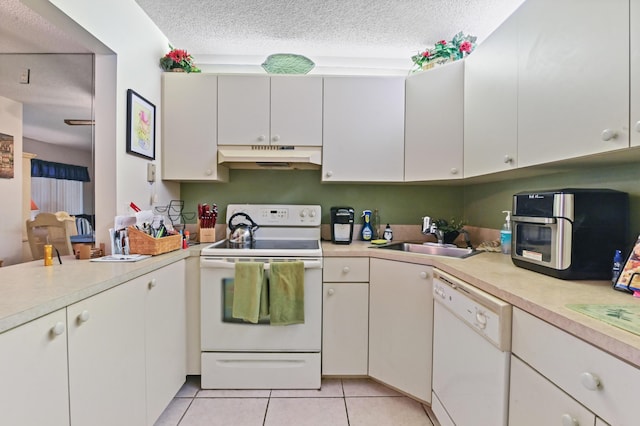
point(479, 204)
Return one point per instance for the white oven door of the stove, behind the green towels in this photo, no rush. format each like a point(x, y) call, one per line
point(221, 333)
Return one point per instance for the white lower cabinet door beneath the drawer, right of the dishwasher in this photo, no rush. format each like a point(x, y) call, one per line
point(535, 401)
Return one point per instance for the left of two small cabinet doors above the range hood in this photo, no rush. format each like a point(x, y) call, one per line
point(243, 110)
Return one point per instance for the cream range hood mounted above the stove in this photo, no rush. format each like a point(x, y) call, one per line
point(281, 157)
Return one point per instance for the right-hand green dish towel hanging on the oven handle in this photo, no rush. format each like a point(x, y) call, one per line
point(286, 293)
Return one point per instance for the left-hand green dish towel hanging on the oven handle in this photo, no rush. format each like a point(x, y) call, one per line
point(250, 298)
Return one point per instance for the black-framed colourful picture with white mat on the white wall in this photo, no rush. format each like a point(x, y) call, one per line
point(141, 126)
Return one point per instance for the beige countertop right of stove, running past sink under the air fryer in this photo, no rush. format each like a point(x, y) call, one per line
point(543, 296)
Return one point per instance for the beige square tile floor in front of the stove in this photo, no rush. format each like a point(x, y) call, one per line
point(340, 402)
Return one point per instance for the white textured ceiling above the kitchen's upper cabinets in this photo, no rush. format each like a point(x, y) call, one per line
point(388, 29)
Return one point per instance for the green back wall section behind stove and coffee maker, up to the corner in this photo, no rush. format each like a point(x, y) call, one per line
point(396, 203)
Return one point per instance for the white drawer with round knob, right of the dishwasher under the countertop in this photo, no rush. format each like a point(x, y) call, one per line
point(601, 382)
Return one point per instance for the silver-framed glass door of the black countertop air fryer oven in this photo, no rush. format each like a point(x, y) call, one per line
point(542, 241)
